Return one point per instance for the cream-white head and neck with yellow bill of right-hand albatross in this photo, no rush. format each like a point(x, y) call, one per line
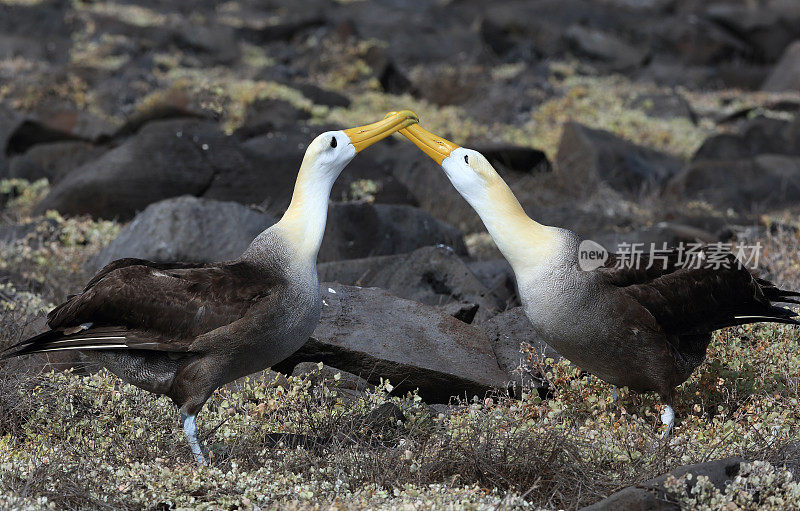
point(522, 241)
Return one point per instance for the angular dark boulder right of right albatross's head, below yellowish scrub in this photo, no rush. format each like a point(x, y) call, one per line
point(591, 156)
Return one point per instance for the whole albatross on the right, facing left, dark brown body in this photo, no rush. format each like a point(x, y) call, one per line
point(645, 326)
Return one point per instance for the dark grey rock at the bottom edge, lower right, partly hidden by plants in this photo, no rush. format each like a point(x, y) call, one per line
point(650, 496)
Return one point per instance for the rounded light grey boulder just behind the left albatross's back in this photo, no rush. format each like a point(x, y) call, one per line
point(186, 229)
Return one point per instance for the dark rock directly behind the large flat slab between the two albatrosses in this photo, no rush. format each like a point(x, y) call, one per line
point(430, 275)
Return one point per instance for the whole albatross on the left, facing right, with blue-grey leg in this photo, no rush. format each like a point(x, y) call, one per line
point(184, 329)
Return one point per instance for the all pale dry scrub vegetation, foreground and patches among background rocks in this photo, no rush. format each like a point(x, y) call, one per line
point(76, 441)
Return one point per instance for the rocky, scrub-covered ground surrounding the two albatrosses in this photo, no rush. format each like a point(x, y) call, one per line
point(174, 130)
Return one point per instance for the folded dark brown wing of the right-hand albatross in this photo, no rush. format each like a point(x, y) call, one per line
point(691, 298)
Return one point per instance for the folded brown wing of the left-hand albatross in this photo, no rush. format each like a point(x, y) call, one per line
point(137, 304)
